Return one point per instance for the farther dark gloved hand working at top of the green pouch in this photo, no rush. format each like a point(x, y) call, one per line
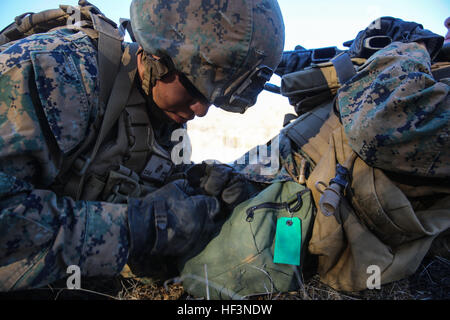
point(222, 181)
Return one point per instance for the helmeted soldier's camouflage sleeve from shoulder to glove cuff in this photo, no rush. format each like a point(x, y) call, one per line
point(42, 234)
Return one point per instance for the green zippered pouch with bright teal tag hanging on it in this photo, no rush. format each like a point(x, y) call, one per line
point(239, 261)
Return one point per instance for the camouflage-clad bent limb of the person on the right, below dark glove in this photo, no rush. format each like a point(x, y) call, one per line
point(396, 115)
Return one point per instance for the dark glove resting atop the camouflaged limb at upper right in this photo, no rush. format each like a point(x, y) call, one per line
point(385, 30)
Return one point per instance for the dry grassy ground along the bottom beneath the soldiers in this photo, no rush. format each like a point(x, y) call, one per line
point(430, 282)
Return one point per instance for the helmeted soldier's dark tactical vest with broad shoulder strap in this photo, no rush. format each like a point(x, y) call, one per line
point(120, 157)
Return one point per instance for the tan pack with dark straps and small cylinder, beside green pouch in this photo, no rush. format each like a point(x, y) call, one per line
point(366, 217)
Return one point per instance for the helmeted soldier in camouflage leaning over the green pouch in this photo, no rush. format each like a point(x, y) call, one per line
point(76, 190)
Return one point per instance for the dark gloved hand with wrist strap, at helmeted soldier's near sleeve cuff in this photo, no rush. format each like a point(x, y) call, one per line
point(170, 221)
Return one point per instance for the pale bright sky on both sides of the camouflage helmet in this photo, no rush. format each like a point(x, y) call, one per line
point(313, 24)
